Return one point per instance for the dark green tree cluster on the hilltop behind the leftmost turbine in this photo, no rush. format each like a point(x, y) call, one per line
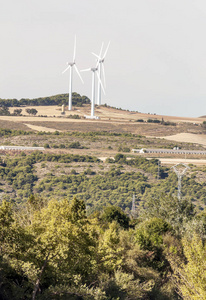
point(77, 100)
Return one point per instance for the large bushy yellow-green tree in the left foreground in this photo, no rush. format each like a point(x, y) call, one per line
point(44, 245)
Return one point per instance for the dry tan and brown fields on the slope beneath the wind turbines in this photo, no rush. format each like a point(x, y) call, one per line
point(111, 120)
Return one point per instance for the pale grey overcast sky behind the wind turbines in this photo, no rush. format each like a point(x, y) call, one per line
point(156, 62)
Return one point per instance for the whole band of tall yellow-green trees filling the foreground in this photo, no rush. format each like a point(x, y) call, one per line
point(54, 250)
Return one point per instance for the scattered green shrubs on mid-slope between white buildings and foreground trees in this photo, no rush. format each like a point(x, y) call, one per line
point(96, 186)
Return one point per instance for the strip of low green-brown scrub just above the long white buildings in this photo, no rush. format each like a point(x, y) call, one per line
point(120, 142)
